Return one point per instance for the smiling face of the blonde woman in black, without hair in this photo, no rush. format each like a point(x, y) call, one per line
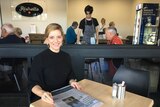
point(55, 40)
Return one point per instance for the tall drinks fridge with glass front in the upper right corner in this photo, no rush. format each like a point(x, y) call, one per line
point(146, 24)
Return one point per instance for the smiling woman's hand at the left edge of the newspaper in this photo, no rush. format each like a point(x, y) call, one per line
point(47, 97)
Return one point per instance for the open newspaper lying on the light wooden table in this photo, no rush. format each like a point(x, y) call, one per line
point(70, 97)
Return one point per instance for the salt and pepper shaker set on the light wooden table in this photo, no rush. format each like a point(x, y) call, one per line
point(118, 90)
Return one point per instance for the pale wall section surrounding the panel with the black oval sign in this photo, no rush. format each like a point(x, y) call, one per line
point(56, 10)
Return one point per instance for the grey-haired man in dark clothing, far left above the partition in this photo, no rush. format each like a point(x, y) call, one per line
point(8, 35)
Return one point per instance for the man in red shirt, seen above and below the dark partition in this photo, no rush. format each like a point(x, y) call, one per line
point(112, 38)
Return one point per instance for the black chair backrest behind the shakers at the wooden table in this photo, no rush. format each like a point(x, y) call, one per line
point(137, 81)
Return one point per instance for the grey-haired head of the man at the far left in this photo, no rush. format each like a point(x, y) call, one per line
point(7, 29)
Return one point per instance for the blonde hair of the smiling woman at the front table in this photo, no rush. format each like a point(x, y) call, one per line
point(52, 27)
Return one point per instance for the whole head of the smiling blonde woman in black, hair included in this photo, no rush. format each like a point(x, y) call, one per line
point(54, 36)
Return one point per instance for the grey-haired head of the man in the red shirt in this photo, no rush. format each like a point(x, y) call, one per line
point(110, 32)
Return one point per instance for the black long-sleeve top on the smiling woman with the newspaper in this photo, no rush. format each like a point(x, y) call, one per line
point(51, 70)
